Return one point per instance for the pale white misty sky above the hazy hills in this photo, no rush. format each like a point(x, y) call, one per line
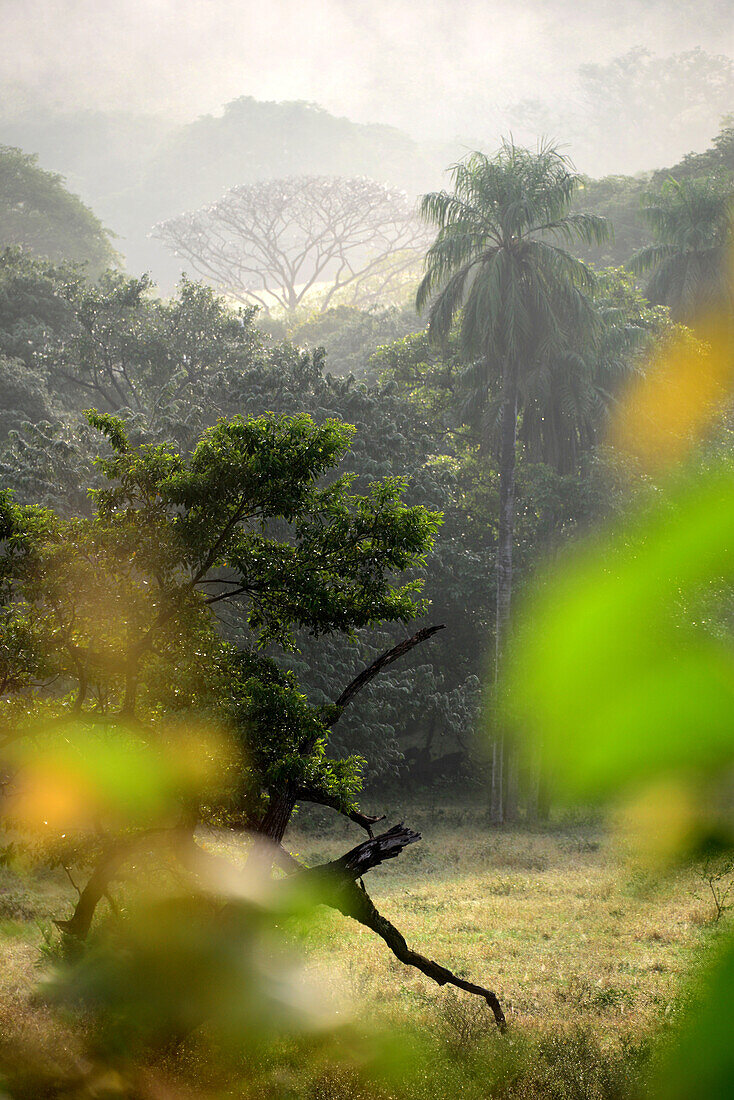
point(433, 68)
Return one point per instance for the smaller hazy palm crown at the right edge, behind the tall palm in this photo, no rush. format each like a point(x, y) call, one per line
point(692, 224)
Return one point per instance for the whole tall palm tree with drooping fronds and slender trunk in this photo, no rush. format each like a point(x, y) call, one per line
point(498, 265)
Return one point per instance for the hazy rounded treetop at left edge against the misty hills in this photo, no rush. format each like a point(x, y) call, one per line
point(38, 214)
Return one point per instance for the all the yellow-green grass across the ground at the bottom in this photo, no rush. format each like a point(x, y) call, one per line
point(587, 954)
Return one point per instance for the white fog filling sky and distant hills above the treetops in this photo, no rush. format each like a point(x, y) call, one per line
point(129, 102)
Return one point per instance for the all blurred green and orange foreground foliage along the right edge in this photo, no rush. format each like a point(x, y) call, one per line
point(623, 665)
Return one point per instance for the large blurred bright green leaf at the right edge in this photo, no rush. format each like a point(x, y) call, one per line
point(612, 666)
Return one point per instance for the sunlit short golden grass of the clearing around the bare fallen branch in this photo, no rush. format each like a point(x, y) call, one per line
point(553, 920)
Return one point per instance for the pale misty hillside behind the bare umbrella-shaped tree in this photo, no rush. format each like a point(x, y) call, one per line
point(137, 172)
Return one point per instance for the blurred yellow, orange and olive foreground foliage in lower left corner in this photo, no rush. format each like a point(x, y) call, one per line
point(198, 945)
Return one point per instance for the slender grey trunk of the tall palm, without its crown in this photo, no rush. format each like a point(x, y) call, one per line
point(505, 579)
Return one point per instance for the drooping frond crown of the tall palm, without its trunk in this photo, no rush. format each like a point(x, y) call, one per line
point(490, 246)
